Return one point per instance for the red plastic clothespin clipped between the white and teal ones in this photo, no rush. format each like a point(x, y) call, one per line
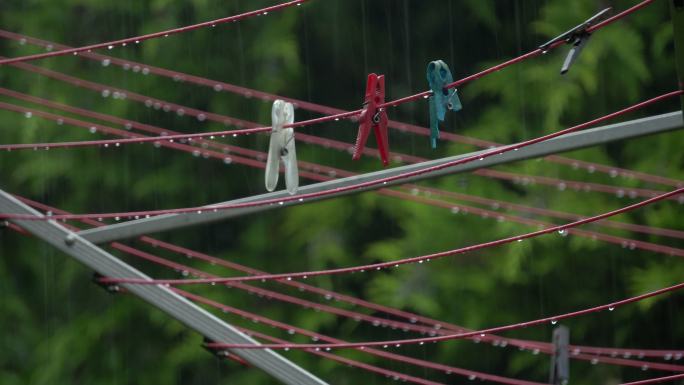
point(373, 117)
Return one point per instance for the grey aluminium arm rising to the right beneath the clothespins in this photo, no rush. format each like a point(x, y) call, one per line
point(569, 142)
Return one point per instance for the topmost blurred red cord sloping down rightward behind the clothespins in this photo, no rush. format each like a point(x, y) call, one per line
point(326, 110)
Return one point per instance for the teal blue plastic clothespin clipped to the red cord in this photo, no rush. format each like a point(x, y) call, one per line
point(442, 99)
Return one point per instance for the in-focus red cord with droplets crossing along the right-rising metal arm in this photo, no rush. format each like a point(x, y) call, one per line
point(301, 197)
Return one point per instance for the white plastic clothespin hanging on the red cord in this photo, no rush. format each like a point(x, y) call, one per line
point(282, 148)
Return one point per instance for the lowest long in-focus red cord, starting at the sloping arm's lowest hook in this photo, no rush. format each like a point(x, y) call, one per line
point(412, 341)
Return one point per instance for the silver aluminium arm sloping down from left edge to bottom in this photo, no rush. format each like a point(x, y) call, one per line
point(159, 296)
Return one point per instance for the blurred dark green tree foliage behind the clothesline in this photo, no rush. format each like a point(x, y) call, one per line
point(58, 328)
